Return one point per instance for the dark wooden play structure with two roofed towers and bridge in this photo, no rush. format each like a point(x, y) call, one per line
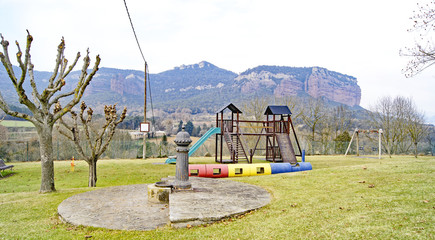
point(277, 129)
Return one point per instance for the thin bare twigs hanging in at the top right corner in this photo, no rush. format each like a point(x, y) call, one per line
point(423, 53)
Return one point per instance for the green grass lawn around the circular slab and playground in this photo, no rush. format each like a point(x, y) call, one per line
point(342, 198)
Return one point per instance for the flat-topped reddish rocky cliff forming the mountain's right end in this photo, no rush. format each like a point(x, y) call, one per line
point(289, 81)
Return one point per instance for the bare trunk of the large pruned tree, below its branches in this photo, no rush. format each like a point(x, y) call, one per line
point(46, 151)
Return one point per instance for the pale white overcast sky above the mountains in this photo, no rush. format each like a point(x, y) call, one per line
point(358, 38)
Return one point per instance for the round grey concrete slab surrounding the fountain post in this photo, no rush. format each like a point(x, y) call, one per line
point(127, 207)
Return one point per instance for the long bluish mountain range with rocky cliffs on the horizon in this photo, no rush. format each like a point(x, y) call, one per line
point(202, 87)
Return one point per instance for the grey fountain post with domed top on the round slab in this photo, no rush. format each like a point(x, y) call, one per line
point(182, 165)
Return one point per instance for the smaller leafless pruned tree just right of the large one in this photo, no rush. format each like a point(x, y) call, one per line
point(96, 140)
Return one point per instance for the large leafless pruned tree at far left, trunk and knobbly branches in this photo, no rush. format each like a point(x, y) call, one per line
point(41, 104)
